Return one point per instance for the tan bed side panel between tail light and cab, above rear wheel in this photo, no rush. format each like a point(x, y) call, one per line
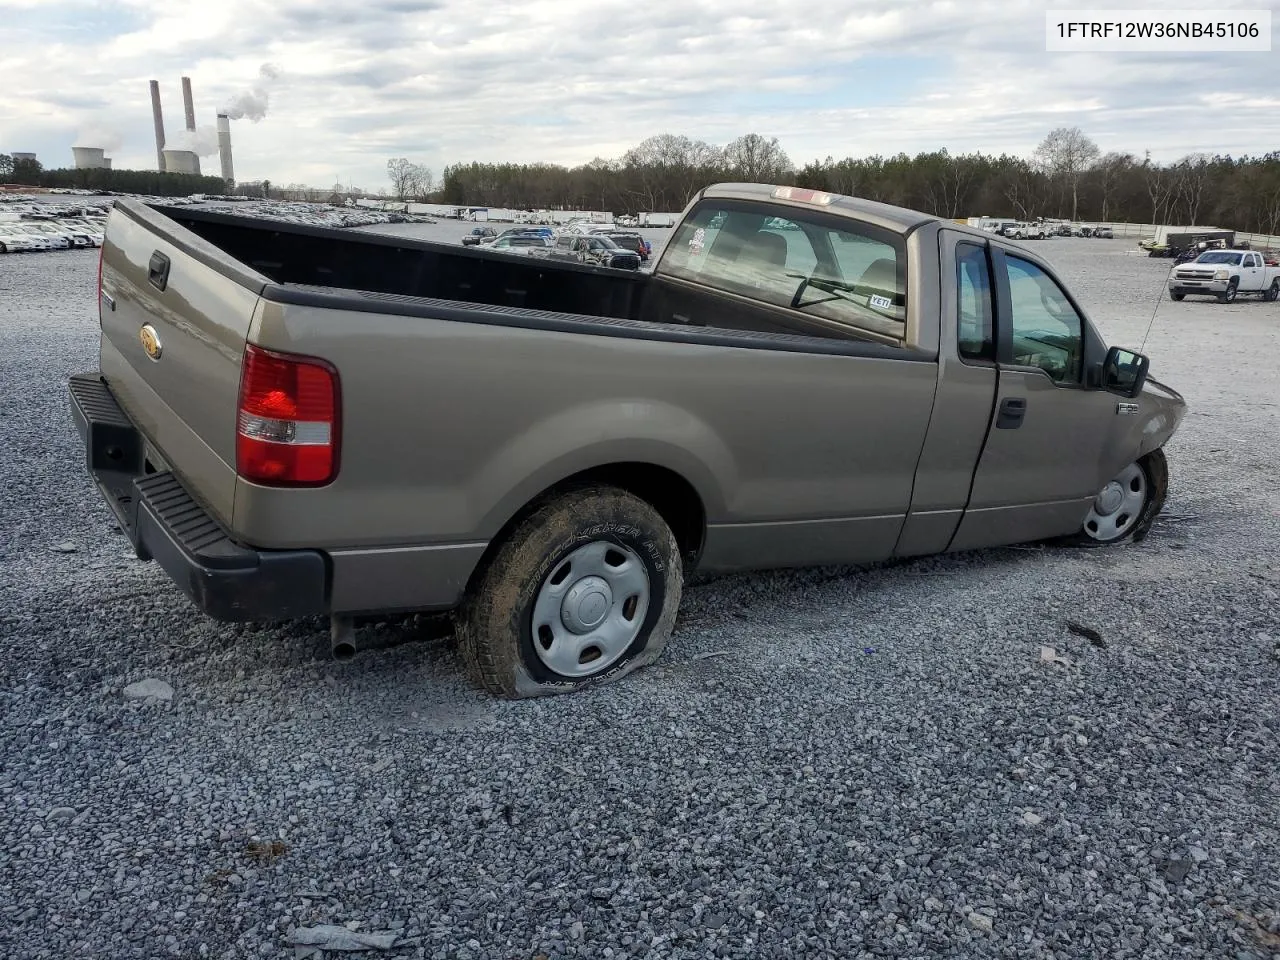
point(451, 428)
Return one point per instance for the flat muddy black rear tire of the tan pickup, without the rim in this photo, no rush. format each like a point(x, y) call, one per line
point(495, 625)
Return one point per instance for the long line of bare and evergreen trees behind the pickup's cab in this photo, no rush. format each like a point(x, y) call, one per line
point(1066, 177)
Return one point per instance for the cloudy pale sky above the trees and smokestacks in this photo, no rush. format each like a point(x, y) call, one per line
point(564, 81)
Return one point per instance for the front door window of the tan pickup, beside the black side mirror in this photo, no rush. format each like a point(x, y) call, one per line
point(1048, 333)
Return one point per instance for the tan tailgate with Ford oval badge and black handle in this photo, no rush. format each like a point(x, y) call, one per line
point(173, 291)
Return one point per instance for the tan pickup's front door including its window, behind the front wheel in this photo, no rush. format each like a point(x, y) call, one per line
point(1046, 452)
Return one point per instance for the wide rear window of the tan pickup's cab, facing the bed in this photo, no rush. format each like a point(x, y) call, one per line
point(822, 266)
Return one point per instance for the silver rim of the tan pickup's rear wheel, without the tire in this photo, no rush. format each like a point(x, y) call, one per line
point(591, 610)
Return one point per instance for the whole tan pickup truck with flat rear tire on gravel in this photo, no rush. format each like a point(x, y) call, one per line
point(298, 422)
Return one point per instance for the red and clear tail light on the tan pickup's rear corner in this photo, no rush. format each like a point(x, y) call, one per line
point(287, 422)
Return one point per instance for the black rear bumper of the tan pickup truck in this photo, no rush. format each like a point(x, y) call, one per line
point(166, 524)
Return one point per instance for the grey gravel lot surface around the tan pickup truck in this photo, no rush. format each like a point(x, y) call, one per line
point(825, 765)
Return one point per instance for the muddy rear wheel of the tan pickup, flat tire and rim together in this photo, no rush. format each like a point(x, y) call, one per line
point(583, 592)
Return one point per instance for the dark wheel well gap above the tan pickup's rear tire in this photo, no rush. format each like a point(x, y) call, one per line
point(666, 491)
